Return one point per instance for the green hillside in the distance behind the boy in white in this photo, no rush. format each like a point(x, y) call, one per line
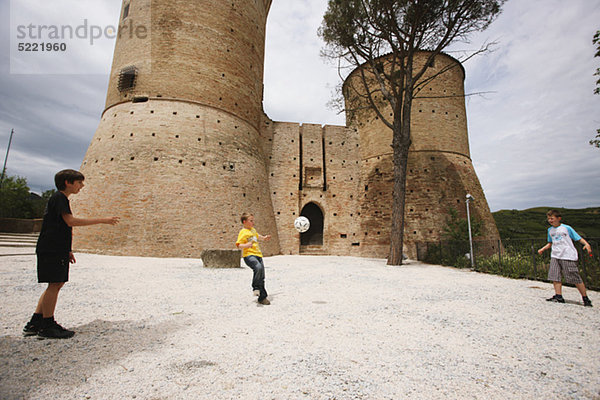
point(531, 223)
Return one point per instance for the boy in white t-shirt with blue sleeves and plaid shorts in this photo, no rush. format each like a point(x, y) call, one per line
point(563, 258)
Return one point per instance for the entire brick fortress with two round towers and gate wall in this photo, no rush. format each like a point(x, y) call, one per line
point(184, 147)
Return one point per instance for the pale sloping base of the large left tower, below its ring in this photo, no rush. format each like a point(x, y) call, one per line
point(179, 184)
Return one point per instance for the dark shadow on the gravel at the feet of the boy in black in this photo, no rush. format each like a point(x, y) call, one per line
point(27, 363)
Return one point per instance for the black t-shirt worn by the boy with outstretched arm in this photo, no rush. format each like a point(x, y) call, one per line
point(56, 236)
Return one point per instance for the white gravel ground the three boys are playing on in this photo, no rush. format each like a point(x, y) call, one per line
point(337, 328)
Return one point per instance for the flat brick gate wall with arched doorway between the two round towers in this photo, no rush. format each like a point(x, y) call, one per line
point(314, 164)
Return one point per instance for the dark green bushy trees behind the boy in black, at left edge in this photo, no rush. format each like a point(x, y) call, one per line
point(16, 201)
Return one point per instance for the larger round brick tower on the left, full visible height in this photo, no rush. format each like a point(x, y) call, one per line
point(177, 153)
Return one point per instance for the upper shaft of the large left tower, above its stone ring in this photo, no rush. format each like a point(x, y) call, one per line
point(202, 51)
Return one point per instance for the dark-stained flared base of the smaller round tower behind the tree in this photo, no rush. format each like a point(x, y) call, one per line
point(437, 181)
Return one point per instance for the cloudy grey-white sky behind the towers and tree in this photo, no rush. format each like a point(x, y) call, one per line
point(528, 133)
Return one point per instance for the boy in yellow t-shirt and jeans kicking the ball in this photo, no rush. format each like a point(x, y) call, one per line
point(248, 242)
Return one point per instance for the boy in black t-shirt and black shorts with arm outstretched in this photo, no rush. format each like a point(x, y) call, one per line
point(54, 253)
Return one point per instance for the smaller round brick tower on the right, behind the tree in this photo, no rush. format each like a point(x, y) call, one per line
point(440, 170)
